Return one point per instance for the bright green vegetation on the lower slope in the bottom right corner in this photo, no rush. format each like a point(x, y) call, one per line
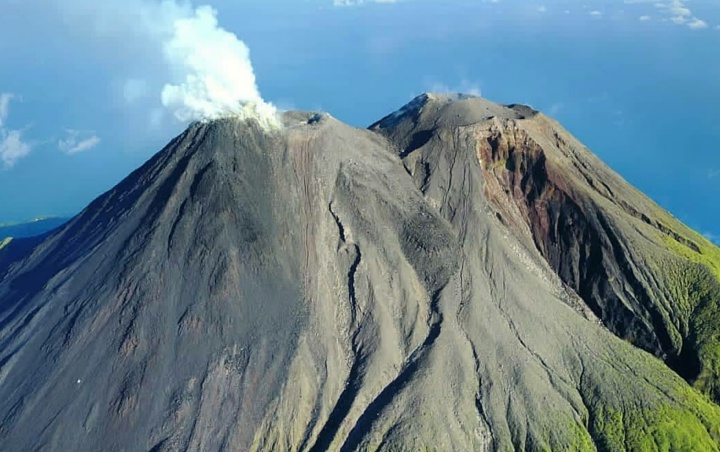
point(665, 415)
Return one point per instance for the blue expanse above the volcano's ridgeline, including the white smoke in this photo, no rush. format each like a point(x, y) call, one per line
point(90, 90)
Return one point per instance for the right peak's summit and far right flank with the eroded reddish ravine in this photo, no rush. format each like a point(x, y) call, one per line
point(652, 281)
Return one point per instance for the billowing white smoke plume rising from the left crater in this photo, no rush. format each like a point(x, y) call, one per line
point(208, 68)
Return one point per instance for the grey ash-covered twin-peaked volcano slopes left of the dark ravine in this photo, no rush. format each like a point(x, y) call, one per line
point(308, 289)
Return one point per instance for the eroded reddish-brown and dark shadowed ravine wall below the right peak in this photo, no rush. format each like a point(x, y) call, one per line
point(526, 187)
